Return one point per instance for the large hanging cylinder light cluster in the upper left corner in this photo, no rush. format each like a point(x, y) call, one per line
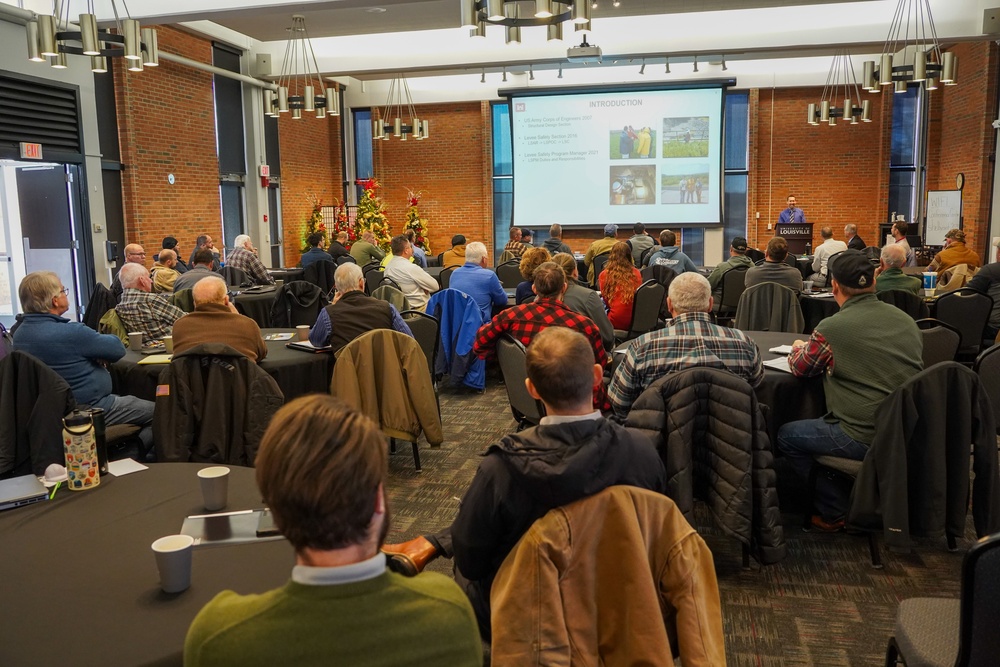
point(46, 39)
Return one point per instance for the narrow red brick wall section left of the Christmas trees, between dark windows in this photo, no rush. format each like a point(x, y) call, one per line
point(311, 169)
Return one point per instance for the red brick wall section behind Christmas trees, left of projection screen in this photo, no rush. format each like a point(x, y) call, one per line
point(453, 168)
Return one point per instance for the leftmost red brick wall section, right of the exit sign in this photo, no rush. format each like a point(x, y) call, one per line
point(166, 122)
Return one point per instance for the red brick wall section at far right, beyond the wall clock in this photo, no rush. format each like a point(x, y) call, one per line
point(961, 140)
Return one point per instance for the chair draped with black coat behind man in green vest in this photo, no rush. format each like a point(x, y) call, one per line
point(914, 479)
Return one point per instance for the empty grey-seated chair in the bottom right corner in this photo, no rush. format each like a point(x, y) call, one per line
point(944, 632)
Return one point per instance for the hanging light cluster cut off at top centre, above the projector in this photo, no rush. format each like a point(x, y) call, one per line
point(477, 14)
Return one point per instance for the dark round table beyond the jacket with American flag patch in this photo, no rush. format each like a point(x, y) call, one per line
point(297, 372)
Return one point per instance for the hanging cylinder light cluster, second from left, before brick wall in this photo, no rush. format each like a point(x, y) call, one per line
point(300, 86)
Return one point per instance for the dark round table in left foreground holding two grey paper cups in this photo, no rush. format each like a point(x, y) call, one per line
point(80, 581)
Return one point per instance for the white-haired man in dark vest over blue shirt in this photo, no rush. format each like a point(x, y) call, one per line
point(353, 312)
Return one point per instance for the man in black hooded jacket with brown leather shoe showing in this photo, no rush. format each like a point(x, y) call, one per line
point(573, 453)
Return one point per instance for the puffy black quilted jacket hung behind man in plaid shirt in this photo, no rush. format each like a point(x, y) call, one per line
point(710, 433)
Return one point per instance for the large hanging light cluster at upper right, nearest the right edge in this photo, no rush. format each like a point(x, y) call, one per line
point(912, 53)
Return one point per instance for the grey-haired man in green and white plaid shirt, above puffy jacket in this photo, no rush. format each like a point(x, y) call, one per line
point(689, 340)
